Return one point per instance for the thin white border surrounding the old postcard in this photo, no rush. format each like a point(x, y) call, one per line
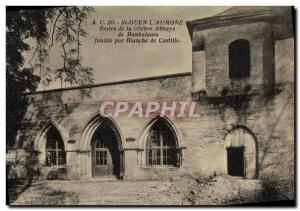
point(3, 3)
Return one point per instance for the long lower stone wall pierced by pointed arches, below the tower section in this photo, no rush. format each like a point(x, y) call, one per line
point(202, 139)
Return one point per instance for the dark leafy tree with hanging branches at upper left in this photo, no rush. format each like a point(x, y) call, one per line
point(61, 26)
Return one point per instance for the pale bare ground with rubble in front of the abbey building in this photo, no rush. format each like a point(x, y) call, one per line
point(181, 190)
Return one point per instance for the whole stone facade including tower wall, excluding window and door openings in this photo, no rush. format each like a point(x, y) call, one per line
point(269, 119)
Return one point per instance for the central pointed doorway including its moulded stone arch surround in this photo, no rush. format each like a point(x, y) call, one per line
point(101, 134)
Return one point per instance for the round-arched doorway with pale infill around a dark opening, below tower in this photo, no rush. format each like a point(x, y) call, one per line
point(241, 153)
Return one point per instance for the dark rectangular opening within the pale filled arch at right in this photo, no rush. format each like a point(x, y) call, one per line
point(235, 161)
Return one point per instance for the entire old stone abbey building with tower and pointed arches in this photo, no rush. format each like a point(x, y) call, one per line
point(242, 82)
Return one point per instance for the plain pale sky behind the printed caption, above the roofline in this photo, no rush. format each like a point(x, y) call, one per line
point(129, 61)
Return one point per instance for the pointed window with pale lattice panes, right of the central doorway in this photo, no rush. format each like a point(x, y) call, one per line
point(161, 146)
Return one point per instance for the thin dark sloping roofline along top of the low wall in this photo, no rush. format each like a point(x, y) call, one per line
point(112, 83)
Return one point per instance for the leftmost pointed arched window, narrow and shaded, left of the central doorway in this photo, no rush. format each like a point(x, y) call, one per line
point(55, 150)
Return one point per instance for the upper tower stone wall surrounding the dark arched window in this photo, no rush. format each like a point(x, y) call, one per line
point(217, 40)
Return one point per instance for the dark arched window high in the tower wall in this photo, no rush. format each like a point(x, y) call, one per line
point(239, 59)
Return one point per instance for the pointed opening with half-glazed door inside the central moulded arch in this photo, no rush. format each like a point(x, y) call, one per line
point(105, 153)
